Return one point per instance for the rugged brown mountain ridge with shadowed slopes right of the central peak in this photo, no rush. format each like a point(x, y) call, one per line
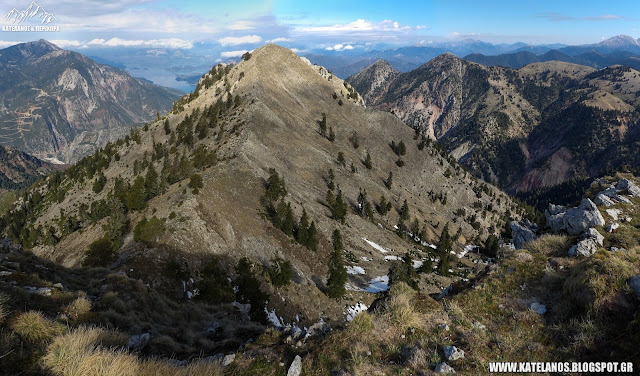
point(535, 127)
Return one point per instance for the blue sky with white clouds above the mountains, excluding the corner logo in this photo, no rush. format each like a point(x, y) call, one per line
point(235, 25)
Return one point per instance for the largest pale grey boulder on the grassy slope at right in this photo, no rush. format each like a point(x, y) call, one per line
point(575, 220)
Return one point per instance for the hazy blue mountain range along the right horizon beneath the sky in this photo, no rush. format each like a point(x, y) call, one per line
point(622, 49)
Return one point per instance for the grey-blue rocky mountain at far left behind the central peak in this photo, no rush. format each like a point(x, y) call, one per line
point(49, 96)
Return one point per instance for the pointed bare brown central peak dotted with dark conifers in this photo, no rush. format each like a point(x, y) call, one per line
point(271, 159)
